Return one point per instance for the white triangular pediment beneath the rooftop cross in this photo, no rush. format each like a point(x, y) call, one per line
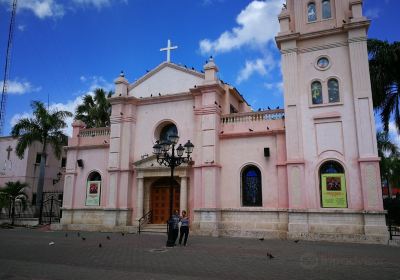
point(167, 78)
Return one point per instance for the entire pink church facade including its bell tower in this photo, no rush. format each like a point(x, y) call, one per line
point(308, 171)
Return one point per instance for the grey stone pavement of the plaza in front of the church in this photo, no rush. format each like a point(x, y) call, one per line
point(26, 254)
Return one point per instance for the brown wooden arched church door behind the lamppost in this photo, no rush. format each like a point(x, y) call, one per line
point(159, 200)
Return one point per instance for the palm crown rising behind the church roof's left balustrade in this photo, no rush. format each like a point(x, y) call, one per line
point(95, 110)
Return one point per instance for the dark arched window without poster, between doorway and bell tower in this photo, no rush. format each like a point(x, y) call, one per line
point(251, 186)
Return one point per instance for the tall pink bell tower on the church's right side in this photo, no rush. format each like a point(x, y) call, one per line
point(332, 164)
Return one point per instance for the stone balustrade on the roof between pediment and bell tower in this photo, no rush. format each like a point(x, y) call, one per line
point(253, 116)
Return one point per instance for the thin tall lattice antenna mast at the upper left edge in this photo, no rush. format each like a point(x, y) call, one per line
point(7, 66)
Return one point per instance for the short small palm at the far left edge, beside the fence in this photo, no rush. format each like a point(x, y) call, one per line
point(14, 191)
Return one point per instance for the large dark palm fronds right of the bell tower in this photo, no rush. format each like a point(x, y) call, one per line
point(384, 61)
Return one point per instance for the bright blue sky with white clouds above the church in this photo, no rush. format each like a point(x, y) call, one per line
point(64, 49)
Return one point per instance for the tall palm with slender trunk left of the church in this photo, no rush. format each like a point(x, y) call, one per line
point(44, 127)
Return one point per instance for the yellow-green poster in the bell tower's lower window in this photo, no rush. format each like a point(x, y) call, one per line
point(334, 191)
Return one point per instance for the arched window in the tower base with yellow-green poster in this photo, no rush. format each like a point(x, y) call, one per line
point(333, 185)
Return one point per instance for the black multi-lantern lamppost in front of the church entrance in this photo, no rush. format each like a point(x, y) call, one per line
point(165, 152)
